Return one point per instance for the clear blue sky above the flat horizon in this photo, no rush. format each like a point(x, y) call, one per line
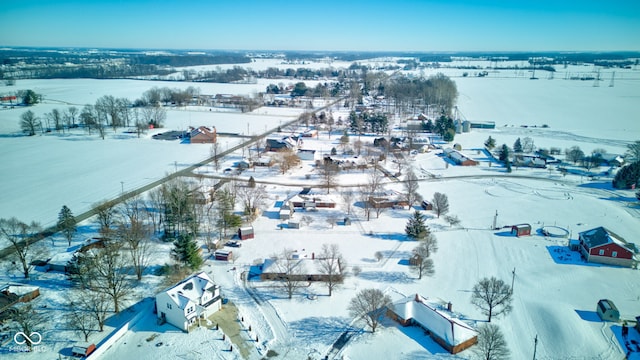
point(402, 25)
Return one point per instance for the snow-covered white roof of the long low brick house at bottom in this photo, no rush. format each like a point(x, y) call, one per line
point(439, 321)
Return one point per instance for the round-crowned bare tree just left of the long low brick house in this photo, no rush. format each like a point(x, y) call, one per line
point(371, 306)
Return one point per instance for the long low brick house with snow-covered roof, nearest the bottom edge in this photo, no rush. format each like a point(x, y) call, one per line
point(451, 333)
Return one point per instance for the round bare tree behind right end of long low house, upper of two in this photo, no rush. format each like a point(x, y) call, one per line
point(492, 296)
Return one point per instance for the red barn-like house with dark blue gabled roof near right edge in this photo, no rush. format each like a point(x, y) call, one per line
point(602, 246)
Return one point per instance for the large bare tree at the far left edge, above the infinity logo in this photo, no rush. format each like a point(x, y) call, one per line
point(22, 237)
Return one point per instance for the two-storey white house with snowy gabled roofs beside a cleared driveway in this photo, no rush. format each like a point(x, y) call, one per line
point(192, 298)
